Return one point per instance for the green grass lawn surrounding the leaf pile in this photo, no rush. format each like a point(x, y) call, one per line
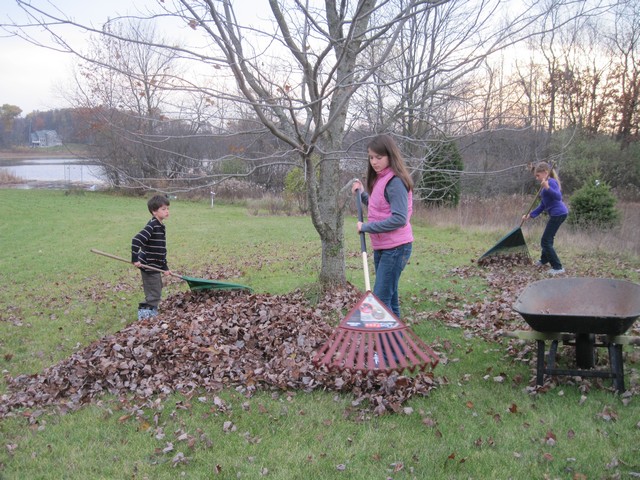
point(57, 297)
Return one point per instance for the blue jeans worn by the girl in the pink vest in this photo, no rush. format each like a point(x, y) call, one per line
point(389, 264)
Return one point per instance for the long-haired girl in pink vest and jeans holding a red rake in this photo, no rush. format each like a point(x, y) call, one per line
point(389, 199)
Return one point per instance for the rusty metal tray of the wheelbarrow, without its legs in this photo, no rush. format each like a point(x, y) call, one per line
point(580, 305)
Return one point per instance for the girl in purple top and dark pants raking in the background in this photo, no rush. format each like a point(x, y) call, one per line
point(550, 202)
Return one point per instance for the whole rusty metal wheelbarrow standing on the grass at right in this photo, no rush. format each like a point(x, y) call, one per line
point(580, 311)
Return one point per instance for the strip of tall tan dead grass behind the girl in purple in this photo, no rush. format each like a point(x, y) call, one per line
point(502, 214)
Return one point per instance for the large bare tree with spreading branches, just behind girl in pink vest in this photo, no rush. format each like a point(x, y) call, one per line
point(299, 68)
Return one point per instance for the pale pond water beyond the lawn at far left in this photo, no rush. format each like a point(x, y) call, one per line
point(55, 170)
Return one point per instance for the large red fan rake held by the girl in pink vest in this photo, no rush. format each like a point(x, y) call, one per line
point(372, 338)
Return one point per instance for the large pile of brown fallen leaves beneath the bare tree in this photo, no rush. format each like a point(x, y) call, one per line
point(211, 340)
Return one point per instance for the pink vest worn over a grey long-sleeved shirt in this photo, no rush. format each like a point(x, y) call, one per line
point(379, 209)
